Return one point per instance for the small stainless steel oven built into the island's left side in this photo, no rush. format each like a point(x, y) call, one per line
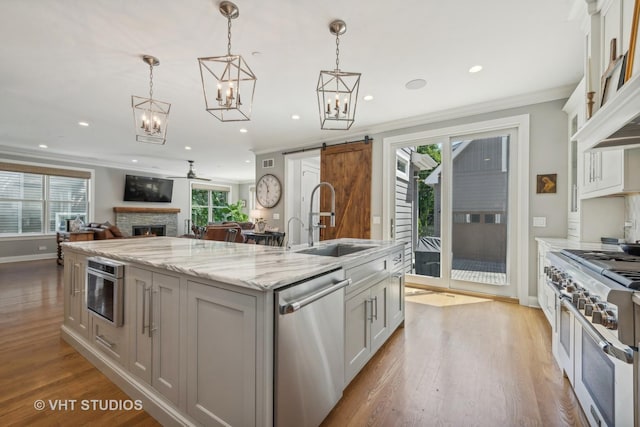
point(105, 289)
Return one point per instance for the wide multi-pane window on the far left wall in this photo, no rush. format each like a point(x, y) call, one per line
point(39, 200)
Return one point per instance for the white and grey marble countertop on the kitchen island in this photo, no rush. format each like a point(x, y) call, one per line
point(251, 266)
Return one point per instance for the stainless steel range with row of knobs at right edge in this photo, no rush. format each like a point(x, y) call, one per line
point(597, 330)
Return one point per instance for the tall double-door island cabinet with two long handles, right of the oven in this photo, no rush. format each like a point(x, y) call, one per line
point(153, 317)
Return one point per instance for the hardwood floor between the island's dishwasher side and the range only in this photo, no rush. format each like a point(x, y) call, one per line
point(481, 364)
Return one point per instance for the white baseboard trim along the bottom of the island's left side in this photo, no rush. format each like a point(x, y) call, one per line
point(155, 405)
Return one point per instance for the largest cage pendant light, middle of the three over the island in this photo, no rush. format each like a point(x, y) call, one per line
point(227, 81)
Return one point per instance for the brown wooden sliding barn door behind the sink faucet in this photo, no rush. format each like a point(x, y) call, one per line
point(348, 168)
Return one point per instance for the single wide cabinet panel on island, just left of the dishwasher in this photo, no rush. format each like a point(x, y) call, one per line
point(221, 356)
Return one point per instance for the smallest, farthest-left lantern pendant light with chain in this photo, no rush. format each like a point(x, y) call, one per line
point(150, 115)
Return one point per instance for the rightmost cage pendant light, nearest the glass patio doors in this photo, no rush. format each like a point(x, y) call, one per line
point(337, 90)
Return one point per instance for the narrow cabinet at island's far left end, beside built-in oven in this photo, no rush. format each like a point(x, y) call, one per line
point(75, 307)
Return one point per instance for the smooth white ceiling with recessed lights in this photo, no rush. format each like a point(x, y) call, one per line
point(67, 61)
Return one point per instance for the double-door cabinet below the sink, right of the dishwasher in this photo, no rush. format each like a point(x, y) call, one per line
point(366, 325)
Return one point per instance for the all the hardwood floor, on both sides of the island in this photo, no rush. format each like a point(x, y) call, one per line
point(482, 364)
